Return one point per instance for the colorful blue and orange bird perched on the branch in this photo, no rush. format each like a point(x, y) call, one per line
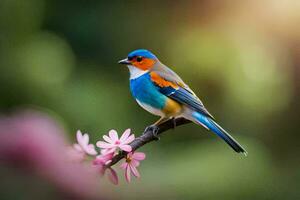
point(160, 91)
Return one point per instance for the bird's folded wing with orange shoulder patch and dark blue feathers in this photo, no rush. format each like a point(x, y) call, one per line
point(171, 85)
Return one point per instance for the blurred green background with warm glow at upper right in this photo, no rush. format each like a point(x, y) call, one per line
point(242, 58)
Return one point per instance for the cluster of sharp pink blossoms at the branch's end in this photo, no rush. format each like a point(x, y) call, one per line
point(110, 147)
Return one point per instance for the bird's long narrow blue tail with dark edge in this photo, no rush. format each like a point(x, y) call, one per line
point(217, 129)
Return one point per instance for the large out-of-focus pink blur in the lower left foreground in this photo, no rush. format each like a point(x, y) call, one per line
point(36, 146)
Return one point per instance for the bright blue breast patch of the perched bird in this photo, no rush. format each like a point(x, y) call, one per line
point(146, 92)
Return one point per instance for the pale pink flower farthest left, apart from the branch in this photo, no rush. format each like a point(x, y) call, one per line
point(83, 145)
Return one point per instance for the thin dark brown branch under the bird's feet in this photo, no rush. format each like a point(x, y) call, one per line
point(147, 136)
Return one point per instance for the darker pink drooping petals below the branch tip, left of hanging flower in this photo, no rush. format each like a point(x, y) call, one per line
point(100, 163)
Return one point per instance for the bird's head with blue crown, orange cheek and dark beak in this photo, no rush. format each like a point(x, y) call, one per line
point(141, 58)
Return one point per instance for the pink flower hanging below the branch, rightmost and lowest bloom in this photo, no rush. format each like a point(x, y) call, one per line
point(131, 163)
